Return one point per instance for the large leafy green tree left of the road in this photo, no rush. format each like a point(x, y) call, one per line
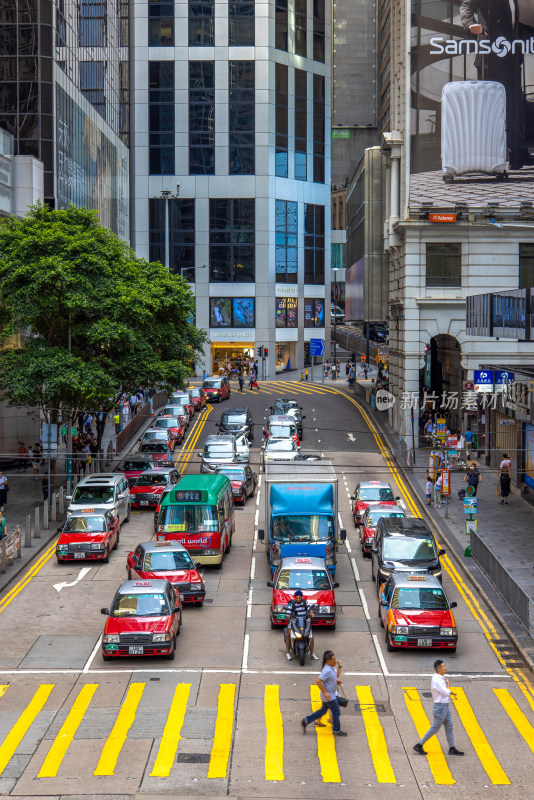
point(83, 319)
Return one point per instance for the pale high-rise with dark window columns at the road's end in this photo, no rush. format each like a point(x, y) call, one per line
point(231, 167)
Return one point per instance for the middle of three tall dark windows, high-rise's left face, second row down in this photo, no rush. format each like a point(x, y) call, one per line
point(201, 118)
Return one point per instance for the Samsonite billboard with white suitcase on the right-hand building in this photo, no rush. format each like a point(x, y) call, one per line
point(472, 129)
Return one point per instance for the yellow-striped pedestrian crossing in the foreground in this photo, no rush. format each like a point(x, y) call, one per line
point(278, 728)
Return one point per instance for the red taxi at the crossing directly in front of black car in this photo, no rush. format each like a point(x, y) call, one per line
point(416, 613)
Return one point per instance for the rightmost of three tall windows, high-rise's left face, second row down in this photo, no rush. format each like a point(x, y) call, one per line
point(241, 118)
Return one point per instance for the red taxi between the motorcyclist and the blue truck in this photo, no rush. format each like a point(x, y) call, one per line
point(309, 574)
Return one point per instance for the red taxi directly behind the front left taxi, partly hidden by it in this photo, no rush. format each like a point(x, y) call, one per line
point(169, 561)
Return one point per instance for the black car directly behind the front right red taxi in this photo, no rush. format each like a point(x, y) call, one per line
point(403, 544)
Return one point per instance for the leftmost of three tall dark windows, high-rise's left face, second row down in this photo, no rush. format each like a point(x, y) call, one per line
point(161, 117)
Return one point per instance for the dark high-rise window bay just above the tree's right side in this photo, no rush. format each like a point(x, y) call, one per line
point(181, 235)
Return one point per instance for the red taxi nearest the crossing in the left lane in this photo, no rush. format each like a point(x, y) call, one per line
point(144, 620)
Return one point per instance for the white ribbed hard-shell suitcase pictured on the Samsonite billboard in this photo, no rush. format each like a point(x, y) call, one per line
point(473, 129)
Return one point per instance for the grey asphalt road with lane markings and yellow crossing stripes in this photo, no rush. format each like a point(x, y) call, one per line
point(223, 719)
